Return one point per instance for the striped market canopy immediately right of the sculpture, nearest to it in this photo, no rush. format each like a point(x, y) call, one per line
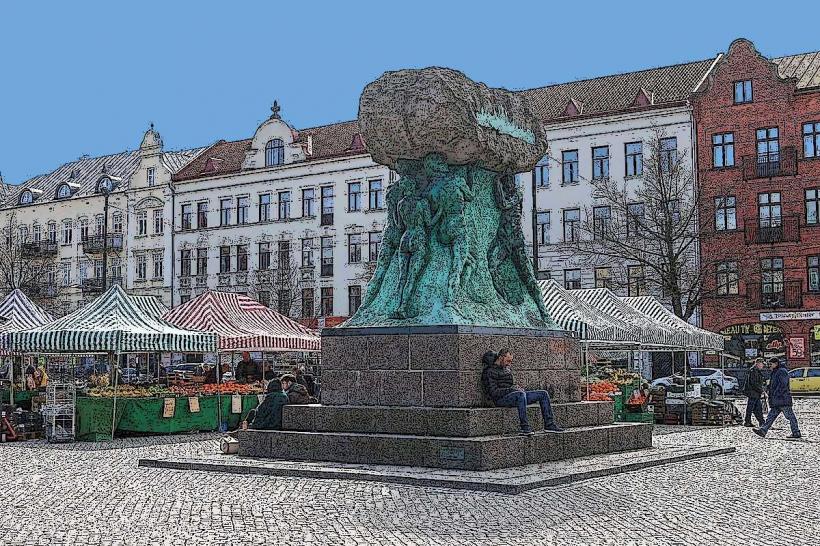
point(575, 315)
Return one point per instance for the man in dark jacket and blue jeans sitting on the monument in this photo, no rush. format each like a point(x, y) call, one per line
point(502, 390)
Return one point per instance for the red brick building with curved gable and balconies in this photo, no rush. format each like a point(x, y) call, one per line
point(758, 159)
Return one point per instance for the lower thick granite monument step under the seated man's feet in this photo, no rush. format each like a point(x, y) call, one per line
point(465, 453)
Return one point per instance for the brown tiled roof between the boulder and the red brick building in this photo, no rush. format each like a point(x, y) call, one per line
point(618, 92)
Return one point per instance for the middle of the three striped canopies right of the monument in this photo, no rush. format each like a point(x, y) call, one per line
point(653, 334)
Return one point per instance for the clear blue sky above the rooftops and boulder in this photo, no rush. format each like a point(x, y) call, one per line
point(88, 77)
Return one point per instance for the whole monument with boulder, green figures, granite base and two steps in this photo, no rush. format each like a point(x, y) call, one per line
point(401, 379)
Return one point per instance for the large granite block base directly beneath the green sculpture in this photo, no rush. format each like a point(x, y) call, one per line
point(440, 366)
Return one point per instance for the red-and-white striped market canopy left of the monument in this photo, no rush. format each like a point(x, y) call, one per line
point(242, 324)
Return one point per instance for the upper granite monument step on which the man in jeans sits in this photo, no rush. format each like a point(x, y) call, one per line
point(424, 421)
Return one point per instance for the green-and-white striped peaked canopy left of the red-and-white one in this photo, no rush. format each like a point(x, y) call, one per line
point(113, 323)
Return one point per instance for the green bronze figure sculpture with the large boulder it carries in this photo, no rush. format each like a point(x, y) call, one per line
point(453, 251)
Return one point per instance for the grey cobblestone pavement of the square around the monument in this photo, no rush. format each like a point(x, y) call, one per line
point(765, 493)
